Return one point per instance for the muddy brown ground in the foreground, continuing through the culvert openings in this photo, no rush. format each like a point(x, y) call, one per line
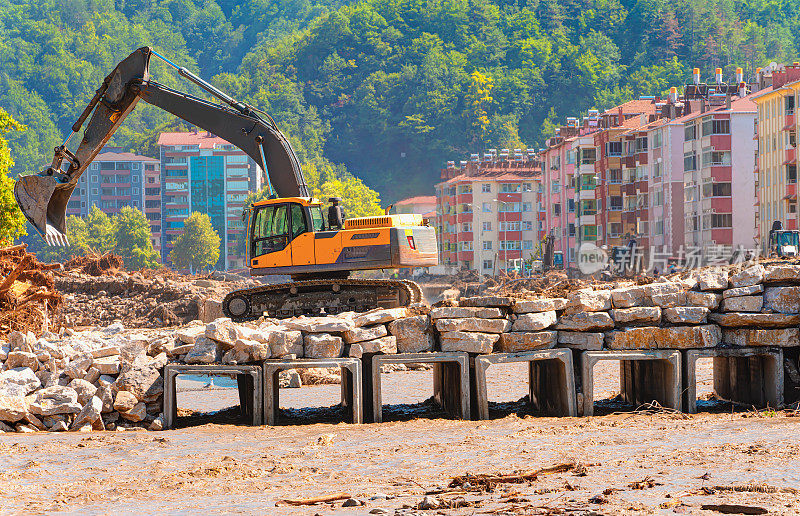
point(628, 463)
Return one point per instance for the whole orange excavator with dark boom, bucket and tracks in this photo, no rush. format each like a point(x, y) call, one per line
point(288, 234)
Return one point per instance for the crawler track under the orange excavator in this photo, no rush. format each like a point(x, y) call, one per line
point(319, 297)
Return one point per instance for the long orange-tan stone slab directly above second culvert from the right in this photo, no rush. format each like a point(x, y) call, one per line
point(676, 337)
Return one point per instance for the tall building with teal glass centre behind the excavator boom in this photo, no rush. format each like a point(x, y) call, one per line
point(204, 173)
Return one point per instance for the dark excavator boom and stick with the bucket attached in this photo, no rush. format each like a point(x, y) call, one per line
point(43, 197)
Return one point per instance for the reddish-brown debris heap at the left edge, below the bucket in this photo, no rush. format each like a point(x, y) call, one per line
point(27, 295)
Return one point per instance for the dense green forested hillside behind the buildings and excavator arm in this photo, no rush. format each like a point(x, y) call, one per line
point(385, 89)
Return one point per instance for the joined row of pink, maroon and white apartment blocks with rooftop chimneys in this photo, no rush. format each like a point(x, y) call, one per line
point(664, 173)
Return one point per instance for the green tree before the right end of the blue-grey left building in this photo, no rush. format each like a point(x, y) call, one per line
point(133, 239)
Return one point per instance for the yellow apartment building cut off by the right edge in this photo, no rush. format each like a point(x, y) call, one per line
point(776, 157)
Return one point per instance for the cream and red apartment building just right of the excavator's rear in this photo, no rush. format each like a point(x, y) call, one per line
point(489, 215)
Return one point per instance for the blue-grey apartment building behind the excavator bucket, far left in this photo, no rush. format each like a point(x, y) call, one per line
point(116, 179)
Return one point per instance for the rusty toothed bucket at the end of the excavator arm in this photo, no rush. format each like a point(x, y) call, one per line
point(43, 201)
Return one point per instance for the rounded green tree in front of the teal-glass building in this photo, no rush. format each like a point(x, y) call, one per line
point(197, 248)
